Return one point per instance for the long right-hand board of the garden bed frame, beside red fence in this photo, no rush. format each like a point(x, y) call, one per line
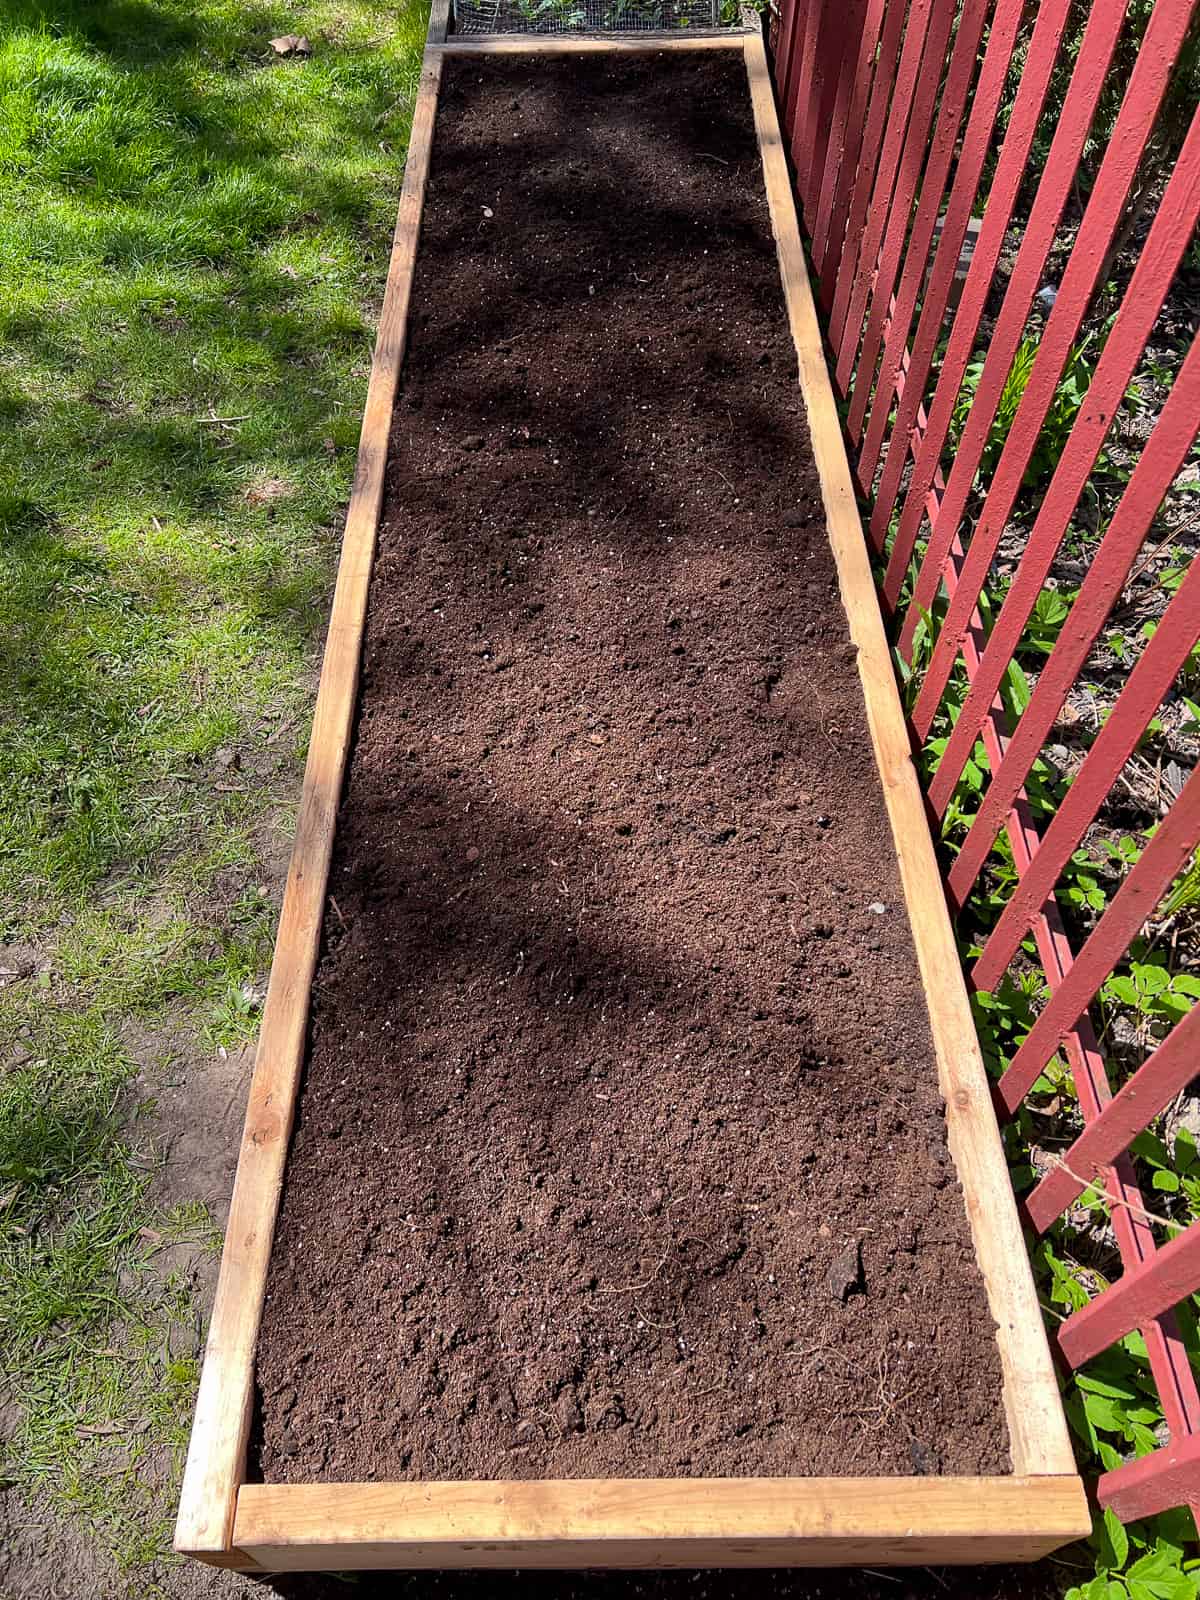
point(1033, 1407)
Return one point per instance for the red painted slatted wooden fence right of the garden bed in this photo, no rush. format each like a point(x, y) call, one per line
point(906, 121)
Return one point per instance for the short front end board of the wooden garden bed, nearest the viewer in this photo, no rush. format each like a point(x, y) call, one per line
point(657, 1522)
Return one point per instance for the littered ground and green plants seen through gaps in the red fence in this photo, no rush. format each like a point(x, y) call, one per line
point(1111, 1404)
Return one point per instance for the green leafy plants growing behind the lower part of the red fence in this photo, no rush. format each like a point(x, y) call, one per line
point(1113, 1406)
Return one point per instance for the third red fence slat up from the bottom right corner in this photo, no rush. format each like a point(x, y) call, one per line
point(1151, 1089)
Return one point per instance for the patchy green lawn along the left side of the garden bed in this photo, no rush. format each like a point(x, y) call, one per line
point(190, 230)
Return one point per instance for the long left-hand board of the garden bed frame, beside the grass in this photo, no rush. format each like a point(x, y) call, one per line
point(218, 1446)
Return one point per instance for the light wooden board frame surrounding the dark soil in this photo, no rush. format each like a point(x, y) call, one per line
point(638, 1522)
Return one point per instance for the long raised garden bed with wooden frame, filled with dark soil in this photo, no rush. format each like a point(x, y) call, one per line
point(622, 1223)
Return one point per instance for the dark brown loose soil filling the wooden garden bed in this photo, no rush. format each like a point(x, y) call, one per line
point(620, 1148)
